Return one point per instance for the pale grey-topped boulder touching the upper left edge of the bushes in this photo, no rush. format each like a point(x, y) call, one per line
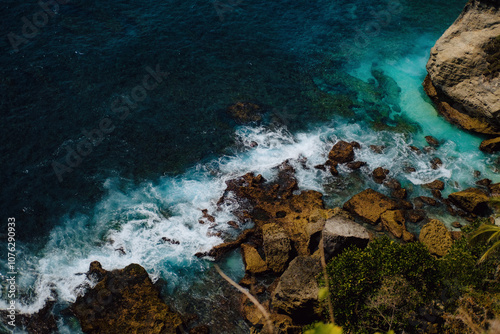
point(341, 232)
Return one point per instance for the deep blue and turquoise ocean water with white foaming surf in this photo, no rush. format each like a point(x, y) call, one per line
point(321, 71)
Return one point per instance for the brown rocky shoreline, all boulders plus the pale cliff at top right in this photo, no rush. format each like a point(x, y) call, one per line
point(293, 229)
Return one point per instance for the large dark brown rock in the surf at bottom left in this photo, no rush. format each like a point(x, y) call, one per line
point(124, 301)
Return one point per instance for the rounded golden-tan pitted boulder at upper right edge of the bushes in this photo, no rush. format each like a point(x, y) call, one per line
point(436, 237)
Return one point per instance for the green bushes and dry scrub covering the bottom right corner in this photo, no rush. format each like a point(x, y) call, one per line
point(402, 287)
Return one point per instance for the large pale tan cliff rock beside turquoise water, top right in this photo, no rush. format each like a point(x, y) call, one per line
point(463, 78)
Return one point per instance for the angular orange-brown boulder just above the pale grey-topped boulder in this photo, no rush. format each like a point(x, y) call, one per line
point(370, 205)
